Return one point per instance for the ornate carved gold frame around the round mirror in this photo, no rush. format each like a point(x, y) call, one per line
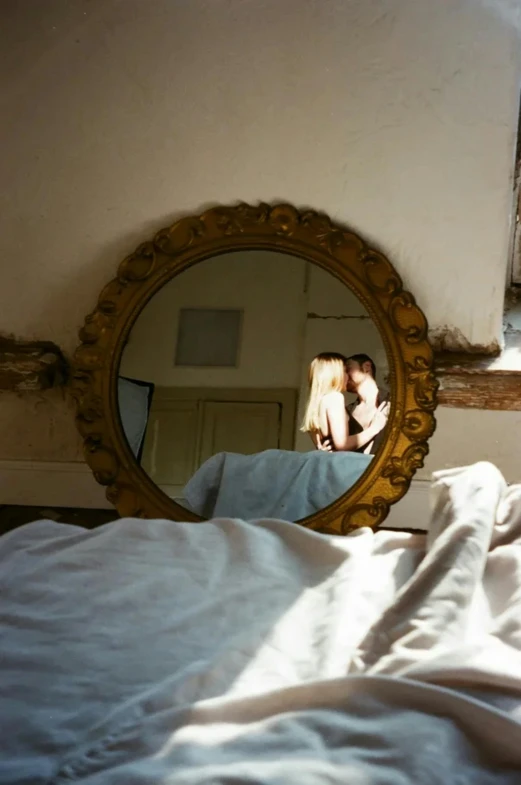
point(314, 238)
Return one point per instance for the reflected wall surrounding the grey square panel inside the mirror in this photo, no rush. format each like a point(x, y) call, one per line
point(269, 287)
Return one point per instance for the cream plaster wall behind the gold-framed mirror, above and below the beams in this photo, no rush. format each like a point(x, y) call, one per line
point(397, 117)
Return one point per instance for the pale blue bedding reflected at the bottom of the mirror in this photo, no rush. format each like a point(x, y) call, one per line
point(272, 484)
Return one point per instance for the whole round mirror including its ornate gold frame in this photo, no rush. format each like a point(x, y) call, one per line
point(256, 363)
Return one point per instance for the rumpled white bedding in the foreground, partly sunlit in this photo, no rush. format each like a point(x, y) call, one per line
point(228, 652)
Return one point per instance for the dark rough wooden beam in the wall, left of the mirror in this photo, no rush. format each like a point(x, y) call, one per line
point(30, 366)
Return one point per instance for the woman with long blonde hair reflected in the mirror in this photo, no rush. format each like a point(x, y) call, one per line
point(326, 419)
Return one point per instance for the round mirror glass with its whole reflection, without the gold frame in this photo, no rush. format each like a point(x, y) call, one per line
point(253, 385)
